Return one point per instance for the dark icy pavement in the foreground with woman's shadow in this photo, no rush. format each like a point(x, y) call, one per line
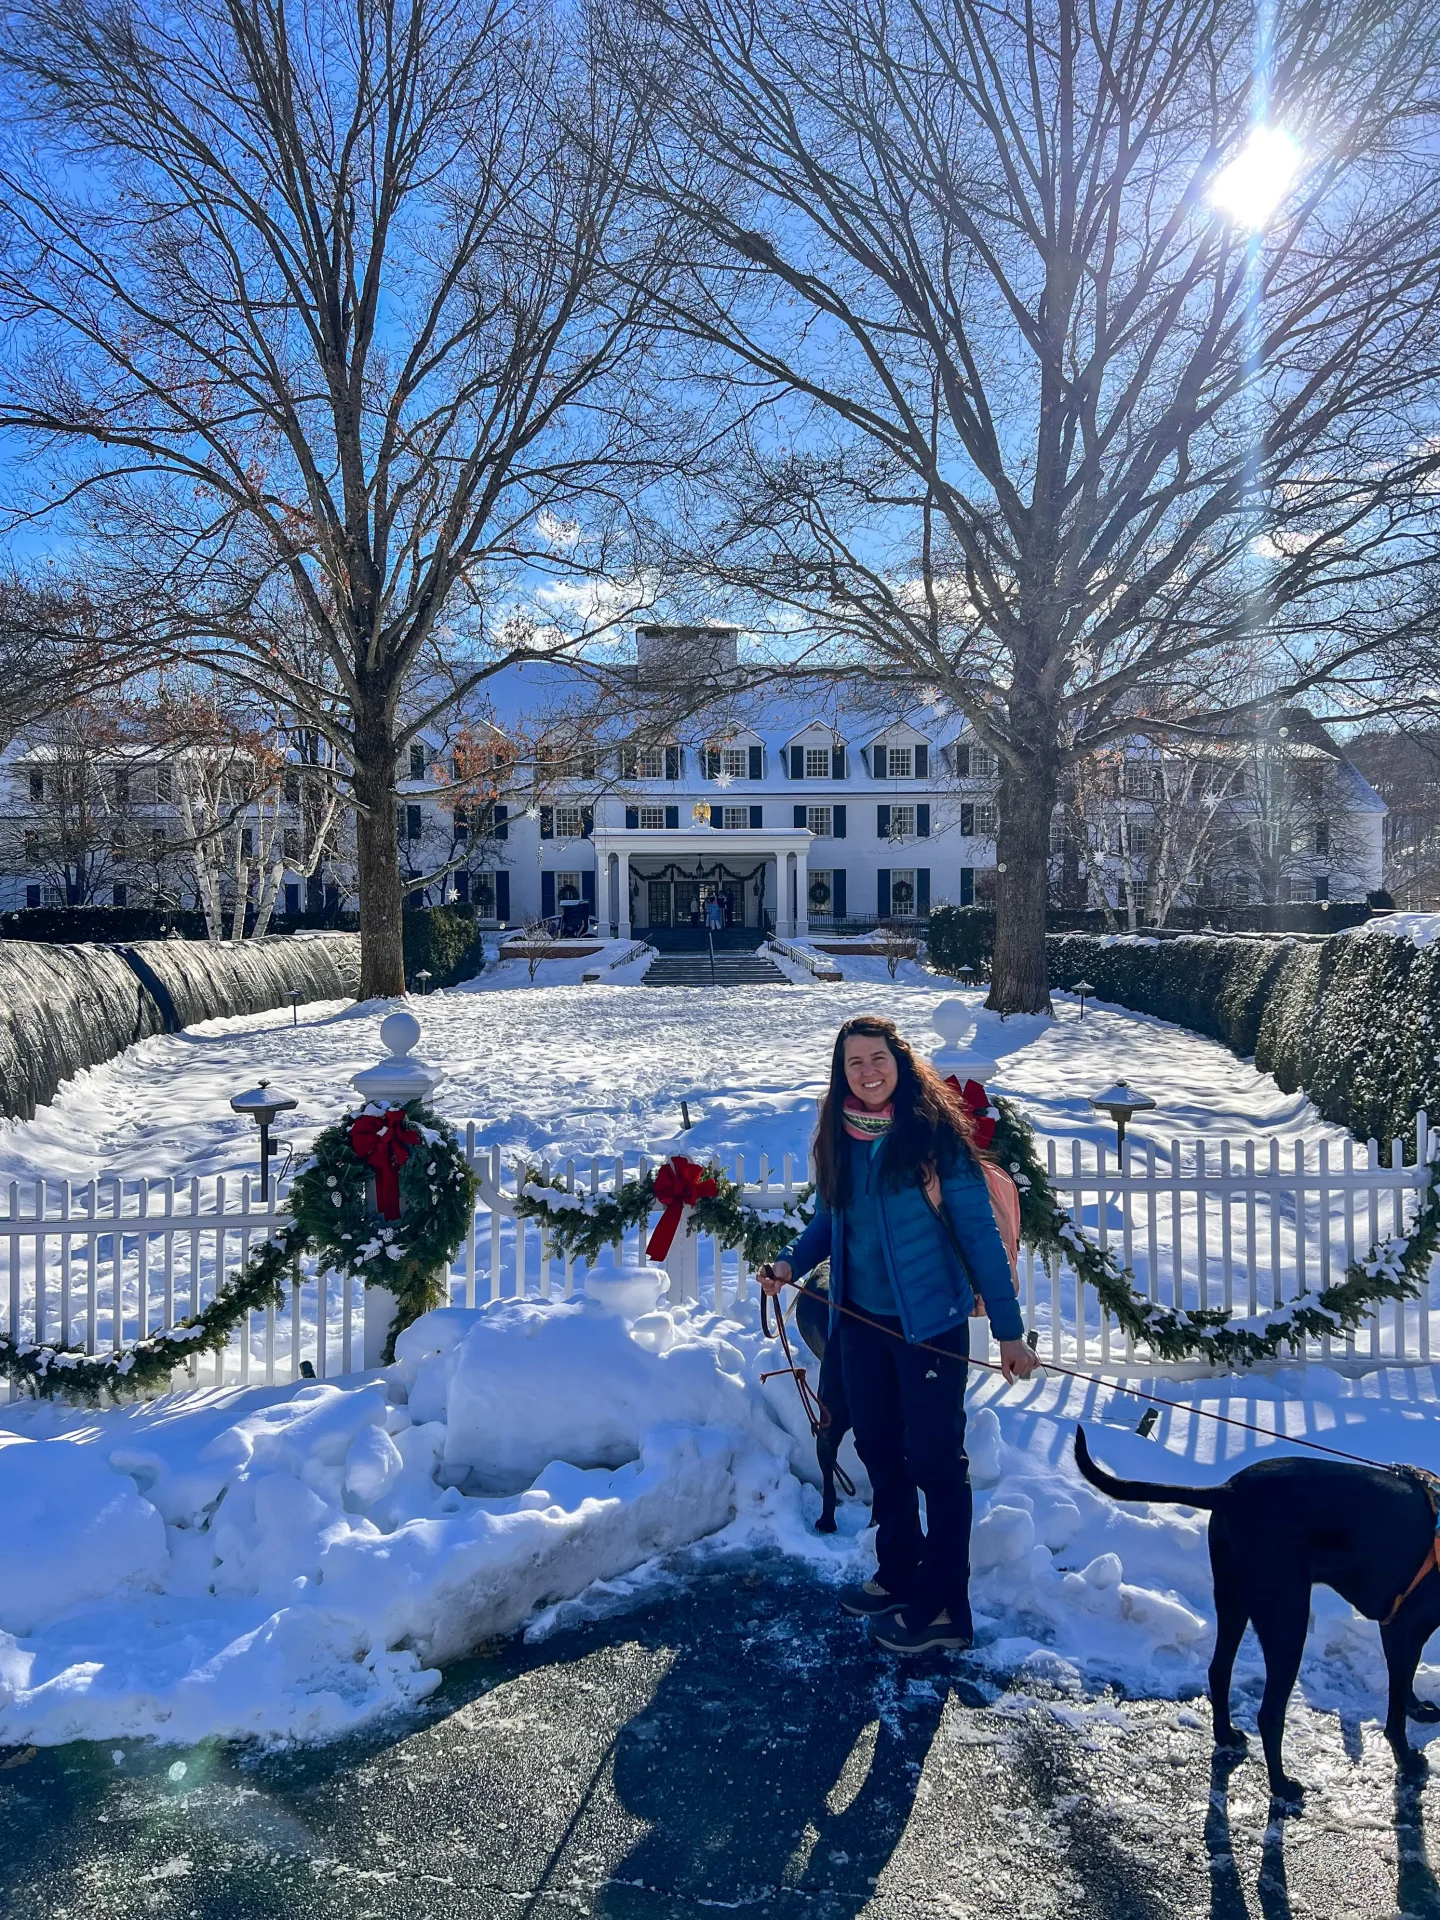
point(729, 1748)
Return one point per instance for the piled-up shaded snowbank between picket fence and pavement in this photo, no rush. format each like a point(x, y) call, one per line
point(295, 1564)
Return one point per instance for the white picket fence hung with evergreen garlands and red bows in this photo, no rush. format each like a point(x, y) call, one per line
point(1236, 1224)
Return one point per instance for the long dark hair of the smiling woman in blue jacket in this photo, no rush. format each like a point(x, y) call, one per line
point(932, 1124)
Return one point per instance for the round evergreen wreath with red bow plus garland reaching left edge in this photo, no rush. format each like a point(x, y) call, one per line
point(387, 1197)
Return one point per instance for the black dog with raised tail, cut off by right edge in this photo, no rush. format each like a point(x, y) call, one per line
point(1276, 1531)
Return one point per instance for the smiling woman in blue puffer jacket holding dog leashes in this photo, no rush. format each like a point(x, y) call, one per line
point(905, 1220)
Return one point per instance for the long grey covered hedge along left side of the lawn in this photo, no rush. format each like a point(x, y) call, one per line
point(64, 1009)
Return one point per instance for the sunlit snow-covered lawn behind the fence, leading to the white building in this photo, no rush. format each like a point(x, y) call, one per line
point(600, 1070)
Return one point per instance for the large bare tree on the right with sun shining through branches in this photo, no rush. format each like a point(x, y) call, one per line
point(1076, 345)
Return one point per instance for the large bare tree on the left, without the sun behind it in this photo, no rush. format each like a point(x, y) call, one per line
point(324, 318)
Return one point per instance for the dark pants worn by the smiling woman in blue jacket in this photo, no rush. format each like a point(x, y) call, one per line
point(909, 1414)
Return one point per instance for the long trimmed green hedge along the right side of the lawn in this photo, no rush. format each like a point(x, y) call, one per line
point(1353, 1022)
